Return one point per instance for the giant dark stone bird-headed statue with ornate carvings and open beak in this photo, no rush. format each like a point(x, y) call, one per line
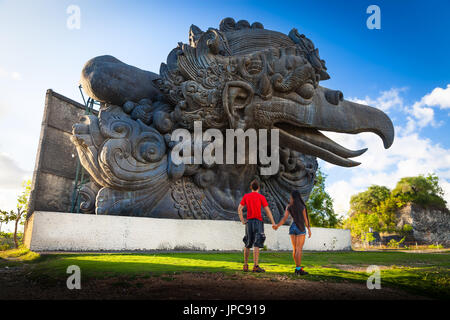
point(237, 76)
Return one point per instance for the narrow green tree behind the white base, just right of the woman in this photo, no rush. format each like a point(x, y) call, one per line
point(320, 205)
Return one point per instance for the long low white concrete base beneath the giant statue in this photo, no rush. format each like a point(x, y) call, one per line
point(54, 231)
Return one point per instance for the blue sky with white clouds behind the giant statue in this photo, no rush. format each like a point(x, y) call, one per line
point(398, 68)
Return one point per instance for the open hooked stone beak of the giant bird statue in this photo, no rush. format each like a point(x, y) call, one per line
point(328, 111)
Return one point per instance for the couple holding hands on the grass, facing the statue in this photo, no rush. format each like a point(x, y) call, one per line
point(254, 230)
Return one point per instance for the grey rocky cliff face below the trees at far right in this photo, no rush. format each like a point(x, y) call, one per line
point(430, 225)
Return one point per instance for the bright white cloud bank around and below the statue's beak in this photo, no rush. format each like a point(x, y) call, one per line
point(410, 154)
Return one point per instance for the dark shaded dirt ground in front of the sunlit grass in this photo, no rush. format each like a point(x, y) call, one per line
point(16, 284)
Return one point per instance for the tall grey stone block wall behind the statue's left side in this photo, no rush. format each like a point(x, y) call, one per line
point(56, 159)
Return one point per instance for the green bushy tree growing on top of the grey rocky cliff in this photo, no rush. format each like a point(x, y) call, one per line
point(422, 190)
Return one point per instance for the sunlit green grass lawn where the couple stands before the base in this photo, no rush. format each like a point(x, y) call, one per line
point(426, 274)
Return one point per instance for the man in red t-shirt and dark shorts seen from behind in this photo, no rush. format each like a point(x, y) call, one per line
point(254, 226)
